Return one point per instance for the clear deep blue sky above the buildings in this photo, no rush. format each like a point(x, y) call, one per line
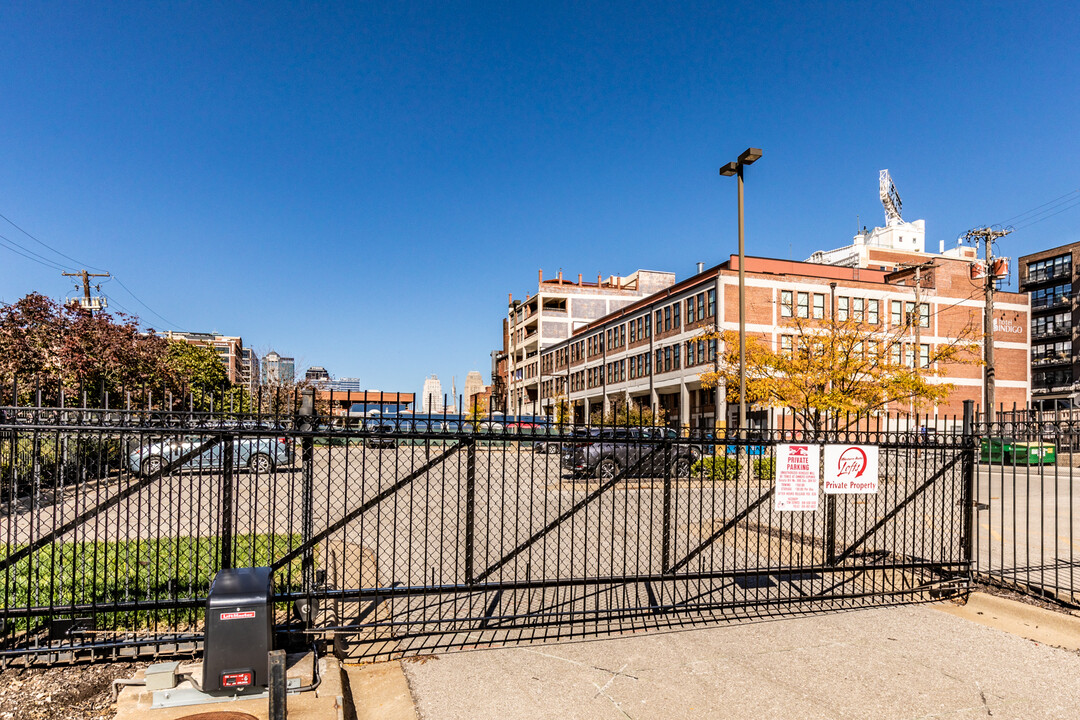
point(362, 185)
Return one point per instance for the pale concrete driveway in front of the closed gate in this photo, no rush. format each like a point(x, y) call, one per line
point(906, 662)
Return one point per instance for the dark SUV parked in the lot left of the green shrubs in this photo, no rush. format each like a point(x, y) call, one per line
point(606, 453)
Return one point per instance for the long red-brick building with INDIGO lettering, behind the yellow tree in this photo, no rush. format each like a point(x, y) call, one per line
point(647, 352)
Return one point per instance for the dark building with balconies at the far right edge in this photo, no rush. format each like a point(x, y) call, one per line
point(1050, 279)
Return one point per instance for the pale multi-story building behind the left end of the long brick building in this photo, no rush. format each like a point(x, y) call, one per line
point(552, 315)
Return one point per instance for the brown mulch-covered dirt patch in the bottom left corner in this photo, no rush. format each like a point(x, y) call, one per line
point(71, 692)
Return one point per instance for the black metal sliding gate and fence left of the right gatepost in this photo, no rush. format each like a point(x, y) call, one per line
point(399, 537)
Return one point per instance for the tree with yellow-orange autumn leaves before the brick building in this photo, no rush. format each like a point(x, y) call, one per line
point(834, 373)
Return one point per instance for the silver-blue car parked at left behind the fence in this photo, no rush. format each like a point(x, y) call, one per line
point(260, 455)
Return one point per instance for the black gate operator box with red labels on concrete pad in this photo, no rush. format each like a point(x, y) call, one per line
point(239, 626)
